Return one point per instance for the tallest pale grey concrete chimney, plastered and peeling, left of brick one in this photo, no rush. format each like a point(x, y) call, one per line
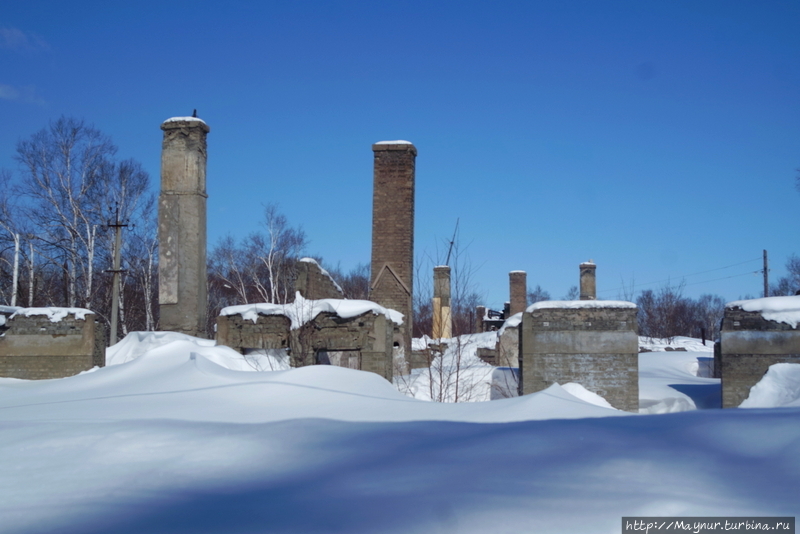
point(182, 292)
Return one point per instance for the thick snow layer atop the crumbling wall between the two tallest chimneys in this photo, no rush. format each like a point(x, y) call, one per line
point(303, 310)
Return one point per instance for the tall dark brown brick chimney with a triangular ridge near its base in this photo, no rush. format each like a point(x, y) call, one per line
point(391, 281)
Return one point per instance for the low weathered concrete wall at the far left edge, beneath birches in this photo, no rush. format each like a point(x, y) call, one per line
point(35, 348)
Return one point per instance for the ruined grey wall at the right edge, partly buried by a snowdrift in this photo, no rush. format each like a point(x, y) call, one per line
point(749, 344)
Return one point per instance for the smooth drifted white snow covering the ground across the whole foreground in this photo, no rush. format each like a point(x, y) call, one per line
point(171, 442)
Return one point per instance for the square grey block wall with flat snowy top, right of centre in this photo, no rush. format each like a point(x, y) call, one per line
point(595, 347)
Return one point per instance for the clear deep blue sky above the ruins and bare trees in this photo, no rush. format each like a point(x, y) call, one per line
point(660, 139)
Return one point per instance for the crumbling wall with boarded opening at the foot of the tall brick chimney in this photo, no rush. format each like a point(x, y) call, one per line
point(364, 342)
